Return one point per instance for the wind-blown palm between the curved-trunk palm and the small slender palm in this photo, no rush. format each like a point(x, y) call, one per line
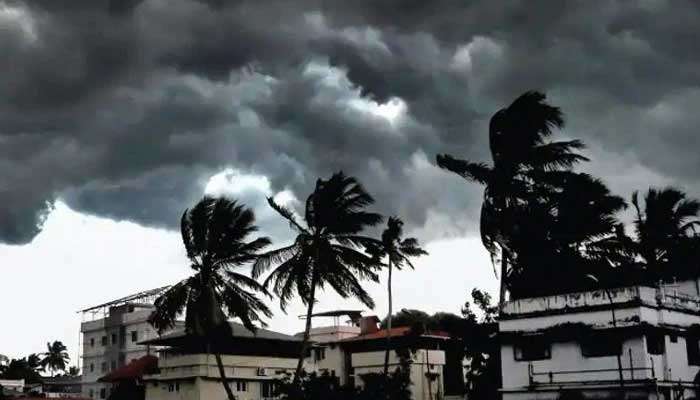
point(326, 250)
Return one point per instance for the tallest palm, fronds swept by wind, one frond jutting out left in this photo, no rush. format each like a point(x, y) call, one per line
point(521, 154)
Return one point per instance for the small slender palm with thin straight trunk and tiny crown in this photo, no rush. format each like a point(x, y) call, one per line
point(398, 252)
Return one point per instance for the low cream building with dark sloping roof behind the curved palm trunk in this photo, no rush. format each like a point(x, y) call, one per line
point(252, 362)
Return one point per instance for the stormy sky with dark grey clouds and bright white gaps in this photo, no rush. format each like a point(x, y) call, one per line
point(117, 115)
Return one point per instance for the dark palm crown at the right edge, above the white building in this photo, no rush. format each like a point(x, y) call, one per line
point(665, 230)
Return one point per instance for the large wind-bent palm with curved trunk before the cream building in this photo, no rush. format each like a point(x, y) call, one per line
point(215, 234)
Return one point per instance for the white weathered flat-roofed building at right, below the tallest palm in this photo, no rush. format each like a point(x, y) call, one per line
point(551, 345)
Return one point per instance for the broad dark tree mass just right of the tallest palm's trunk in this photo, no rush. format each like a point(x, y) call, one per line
point(564, 234)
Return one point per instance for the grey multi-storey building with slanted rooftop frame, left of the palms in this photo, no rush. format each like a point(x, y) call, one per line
point(110, 335)
